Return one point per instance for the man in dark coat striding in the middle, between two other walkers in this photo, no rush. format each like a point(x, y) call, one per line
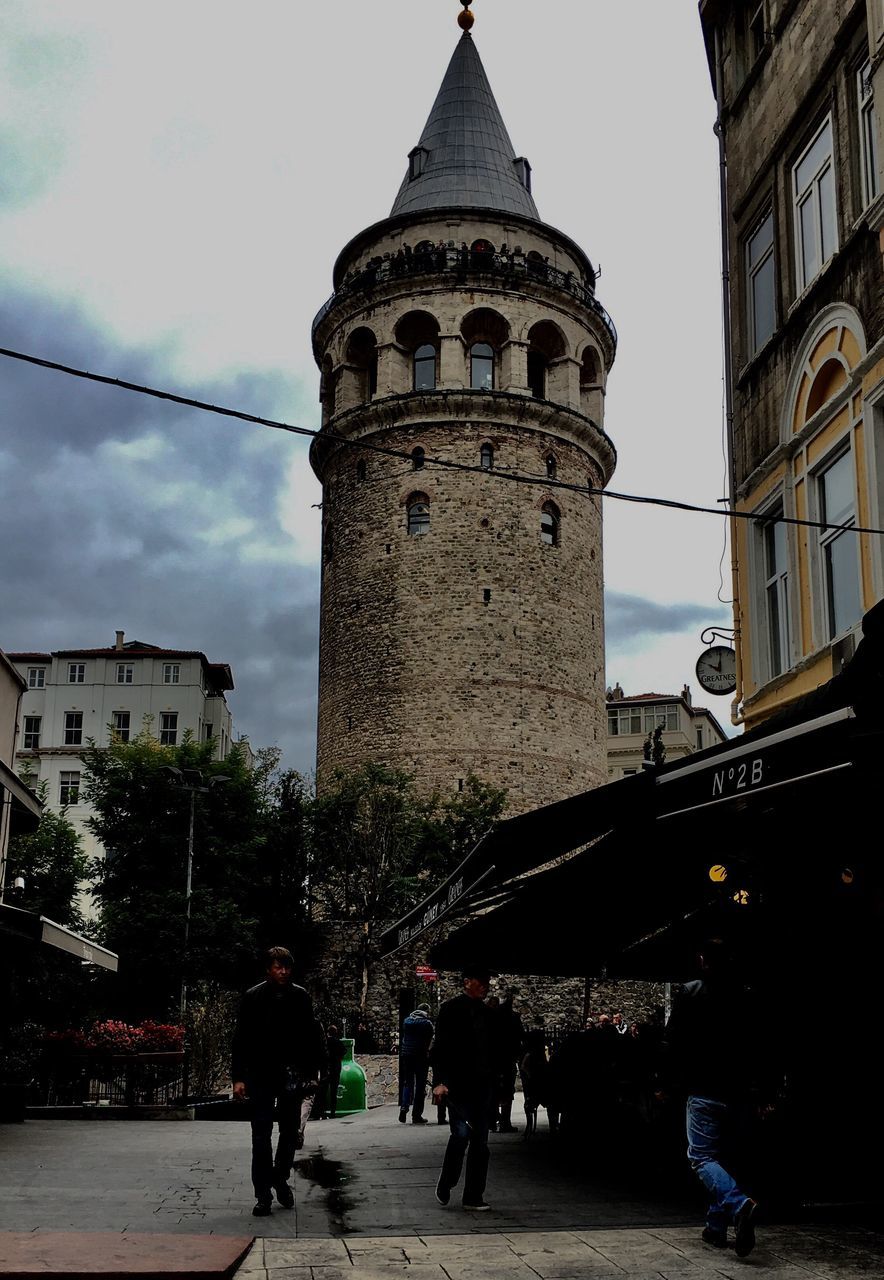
point(465, 1059)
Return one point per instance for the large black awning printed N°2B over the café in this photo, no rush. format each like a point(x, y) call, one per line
point(770, 813)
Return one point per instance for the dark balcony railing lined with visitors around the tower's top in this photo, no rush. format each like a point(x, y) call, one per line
point(510, 269)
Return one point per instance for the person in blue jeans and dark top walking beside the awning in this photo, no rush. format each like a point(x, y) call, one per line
point(713, 1053)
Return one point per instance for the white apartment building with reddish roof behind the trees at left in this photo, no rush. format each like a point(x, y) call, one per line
point(103, 696)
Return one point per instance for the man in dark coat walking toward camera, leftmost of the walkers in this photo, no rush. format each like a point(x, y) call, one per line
point(278, 1058)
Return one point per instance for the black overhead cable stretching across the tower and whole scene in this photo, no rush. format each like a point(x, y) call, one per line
point(498, 473)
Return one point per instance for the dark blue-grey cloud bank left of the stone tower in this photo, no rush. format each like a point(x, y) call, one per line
point(173, 525)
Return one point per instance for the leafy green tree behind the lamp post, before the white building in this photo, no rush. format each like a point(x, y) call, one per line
point(141, 817)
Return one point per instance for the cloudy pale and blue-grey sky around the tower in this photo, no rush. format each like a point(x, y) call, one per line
point(176, 184)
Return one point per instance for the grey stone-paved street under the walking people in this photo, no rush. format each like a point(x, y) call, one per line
point(365, 1206)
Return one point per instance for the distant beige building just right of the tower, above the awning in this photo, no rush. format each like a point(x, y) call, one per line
point(686, 729)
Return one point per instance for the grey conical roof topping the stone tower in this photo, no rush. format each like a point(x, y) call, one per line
point(468, 159)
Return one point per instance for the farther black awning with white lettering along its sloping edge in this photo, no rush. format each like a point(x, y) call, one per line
point(520, 845)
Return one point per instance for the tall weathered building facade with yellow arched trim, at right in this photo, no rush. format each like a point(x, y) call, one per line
point(799, 92)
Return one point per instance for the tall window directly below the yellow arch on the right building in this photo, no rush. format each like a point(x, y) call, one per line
point(839, 550)
